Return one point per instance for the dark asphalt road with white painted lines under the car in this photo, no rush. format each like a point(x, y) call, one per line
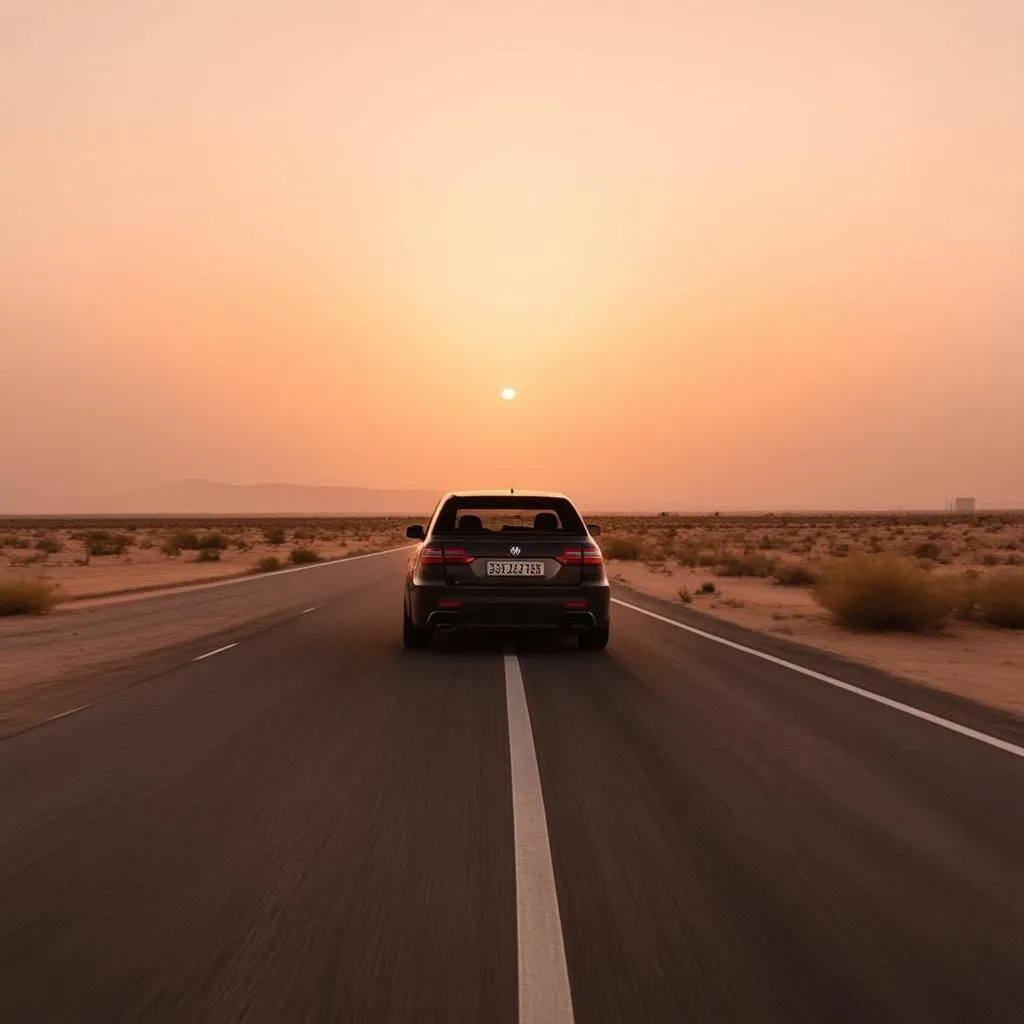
point(316, 826)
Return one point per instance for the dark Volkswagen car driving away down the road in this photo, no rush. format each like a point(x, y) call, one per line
point(506, 561)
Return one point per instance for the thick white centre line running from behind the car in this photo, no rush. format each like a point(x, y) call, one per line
point(544, 979)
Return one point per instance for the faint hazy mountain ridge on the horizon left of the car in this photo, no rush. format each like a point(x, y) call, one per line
point(214, 498)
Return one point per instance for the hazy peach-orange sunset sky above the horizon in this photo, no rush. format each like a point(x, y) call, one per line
point(759, 253)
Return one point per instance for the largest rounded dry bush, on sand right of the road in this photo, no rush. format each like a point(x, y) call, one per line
point(884, 592)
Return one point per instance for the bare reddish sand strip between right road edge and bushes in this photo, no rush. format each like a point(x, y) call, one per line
point(977, 662)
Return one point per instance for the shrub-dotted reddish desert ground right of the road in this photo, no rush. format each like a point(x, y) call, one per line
point(732, 568)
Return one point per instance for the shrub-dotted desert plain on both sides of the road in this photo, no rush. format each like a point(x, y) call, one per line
point(767, 573)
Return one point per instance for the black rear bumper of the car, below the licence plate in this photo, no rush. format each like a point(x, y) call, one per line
point(566, 609)
